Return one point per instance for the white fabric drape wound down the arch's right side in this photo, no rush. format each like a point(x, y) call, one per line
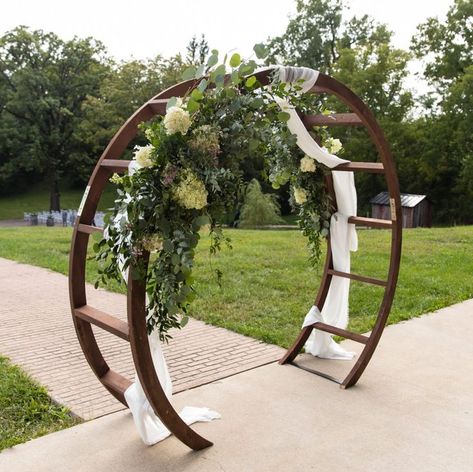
point(343, 237)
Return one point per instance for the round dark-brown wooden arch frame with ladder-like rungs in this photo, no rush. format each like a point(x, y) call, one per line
point(135, 330)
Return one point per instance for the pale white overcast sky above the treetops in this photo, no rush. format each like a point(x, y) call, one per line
point(145, 28)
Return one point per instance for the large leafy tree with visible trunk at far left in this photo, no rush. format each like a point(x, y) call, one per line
point(44, 82)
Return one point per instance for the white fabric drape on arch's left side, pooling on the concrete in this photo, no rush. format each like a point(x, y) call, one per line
point(149, 426)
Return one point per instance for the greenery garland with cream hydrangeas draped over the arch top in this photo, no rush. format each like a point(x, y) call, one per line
point(189, 177)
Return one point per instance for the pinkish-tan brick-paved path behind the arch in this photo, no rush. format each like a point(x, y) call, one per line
point(37, 333)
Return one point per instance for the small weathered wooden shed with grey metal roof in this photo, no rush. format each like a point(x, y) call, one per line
point(416, 209)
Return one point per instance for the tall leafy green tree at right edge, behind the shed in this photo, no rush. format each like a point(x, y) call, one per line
point(446, 163)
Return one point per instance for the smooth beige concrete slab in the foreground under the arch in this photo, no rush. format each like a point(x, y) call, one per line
point(411, 412)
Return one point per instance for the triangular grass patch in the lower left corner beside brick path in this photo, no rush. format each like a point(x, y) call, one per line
point(26, 411)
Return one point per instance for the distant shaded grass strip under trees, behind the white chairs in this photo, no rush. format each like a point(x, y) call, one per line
point(13, 207)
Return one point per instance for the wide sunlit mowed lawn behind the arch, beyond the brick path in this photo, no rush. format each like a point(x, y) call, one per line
point(268, 284)
